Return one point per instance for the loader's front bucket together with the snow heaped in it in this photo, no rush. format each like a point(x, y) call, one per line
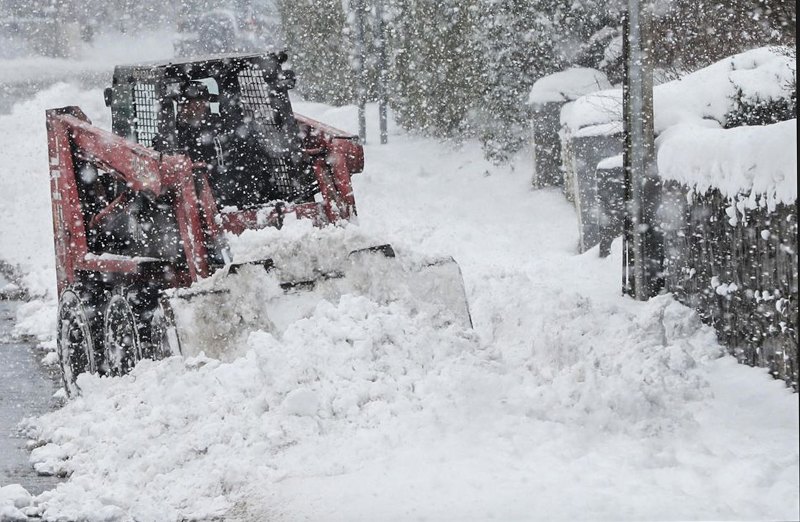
point(214, 315)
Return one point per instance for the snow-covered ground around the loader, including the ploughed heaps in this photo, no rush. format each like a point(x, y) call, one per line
point(567, 401)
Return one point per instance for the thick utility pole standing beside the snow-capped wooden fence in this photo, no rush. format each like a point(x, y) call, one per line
point(642, 250)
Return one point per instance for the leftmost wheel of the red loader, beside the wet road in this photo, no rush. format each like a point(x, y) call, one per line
point(74, 341)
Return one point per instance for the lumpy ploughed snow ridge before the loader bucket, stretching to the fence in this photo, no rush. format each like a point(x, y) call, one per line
point(199, 438)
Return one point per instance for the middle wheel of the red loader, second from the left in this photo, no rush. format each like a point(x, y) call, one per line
point(122, 347)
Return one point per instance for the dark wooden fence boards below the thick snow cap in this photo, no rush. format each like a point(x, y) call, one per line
point(735, 262)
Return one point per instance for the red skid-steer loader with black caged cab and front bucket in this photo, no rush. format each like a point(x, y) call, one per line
point(200, 153)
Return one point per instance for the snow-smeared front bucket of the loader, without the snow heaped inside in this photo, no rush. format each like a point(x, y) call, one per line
point(216, 316)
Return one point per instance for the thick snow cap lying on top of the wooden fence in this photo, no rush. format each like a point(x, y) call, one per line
point(759, 161)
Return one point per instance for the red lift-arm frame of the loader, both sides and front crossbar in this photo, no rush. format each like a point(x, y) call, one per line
point(73, 140)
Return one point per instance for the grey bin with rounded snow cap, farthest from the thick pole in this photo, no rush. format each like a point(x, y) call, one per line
point(548, 95)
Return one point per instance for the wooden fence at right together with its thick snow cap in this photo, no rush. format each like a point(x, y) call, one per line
point(729, 220)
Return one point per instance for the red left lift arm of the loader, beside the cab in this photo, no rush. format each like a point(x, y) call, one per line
point(73, 140)
